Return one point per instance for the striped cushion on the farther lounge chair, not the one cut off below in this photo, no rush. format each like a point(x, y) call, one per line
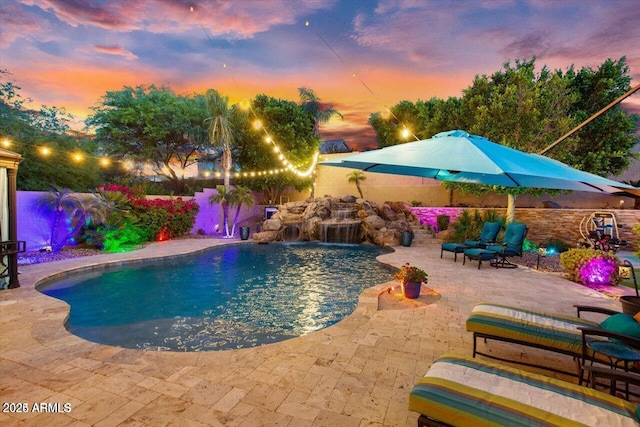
point(529, 326)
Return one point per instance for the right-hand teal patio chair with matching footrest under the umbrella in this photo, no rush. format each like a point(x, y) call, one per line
point(497, 254)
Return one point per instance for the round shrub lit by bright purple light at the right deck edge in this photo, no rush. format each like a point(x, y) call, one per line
point(590, 266)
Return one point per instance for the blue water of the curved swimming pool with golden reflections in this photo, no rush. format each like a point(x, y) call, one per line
point(229, 297)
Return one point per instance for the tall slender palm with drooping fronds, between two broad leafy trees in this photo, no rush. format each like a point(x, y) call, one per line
point(221, 132)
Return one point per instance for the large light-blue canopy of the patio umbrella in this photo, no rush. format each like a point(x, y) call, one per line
point(457, 156)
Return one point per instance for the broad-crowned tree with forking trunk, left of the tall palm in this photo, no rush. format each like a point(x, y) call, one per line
point(152, 125)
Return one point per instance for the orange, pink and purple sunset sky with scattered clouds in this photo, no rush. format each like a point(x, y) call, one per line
point(68, 53)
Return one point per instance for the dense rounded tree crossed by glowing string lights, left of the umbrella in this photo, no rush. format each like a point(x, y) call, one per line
point(291, 129)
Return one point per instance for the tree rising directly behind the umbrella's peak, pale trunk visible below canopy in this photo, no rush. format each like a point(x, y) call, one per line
point(519, 108)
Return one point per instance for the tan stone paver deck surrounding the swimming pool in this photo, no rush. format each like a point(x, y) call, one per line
point(356, 373)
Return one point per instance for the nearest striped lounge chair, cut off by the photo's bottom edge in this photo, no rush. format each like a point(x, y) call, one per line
point(461, 391)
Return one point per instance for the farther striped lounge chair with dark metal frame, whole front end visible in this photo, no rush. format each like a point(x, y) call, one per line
point(552, 332)
